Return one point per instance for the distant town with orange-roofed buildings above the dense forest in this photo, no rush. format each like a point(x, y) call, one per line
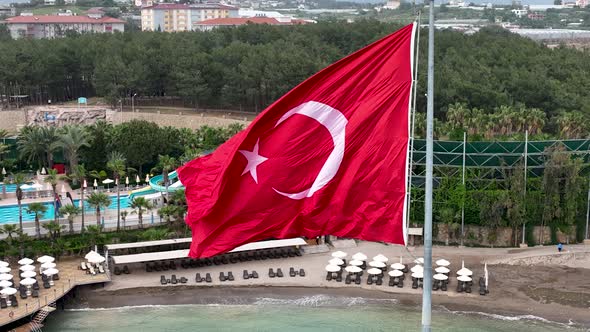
point(563, 21)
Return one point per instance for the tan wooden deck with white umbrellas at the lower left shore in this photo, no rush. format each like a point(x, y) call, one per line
point(69, 277)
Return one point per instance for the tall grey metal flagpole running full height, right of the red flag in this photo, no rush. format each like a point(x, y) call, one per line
point(426, 295)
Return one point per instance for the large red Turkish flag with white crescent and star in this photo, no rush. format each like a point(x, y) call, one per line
point(328, 158)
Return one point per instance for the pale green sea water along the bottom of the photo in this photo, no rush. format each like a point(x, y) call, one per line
point(311, 313)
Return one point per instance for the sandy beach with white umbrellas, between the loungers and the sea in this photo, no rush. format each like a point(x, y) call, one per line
point(536, 281)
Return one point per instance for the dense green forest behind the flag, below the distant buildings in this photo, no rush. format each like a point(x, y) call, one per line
point(493, 77)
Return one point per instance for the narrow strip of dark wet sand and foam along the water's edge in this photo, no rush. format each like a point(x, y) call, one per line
point(252, 295)
